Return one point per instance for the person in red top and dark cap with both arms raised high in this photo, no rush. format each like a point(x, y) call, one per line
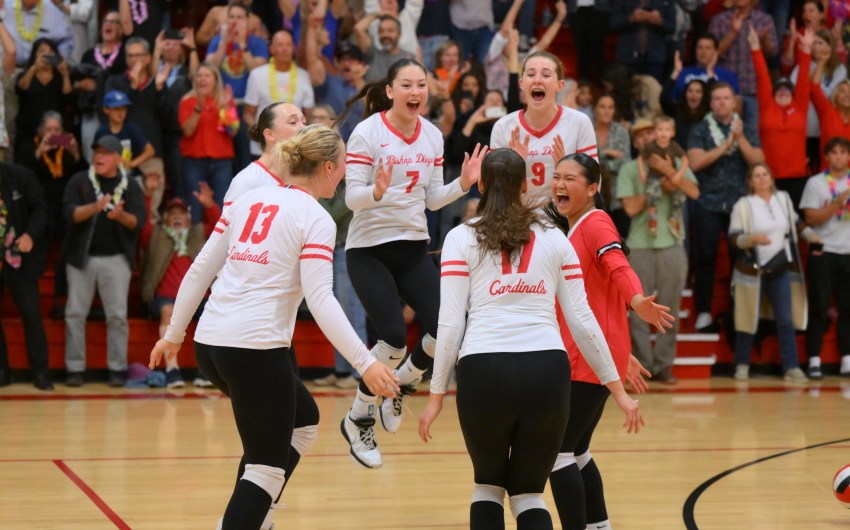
point(782, 117)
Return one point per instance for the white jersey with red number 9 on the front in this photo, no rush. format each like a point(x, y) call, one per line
point(575, 129)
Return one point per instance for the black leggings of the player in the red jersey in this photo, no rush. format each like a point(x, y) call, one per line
point(578, 493)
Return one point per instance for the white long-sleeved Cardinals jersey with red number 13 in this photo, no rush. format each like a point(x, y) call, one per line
point(273, 246)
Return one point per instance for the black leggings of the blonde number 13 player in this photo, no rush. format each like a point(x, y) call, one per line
point(269, 402)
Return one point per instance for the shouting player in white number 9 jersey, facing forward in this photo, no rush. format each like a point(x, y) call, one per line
point(543, 123)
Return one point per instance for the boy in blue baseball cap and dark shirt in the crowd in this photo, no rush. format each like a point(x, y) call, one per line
point(135, 147)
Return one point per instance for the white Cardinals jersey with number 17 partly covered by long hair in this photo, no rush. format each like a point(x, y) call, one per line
point(492, 303)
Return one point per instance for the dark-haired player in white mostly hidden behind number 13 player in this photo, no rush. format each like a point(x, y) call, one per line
point(277, 123)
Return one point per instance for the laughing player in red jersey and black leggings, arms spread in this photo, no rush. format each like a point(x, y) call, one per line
point(612, 288)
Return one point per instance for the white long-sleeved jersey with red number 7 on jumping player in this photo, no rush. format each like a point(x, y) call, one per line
point(417, 181)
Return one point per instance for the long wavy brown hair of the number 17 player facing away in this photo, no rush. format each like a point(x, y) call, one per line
point(504, 220)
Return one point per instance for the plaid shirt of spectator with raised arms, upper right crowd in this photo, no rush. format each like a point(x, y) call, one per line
point(738, 57)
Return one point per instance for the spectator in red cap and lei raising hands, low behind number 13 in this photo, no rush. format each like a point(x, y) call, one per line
point(170, 248)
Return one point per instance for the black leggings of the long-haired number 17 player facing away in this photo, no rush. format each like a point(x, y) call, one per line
point(513, 410)
